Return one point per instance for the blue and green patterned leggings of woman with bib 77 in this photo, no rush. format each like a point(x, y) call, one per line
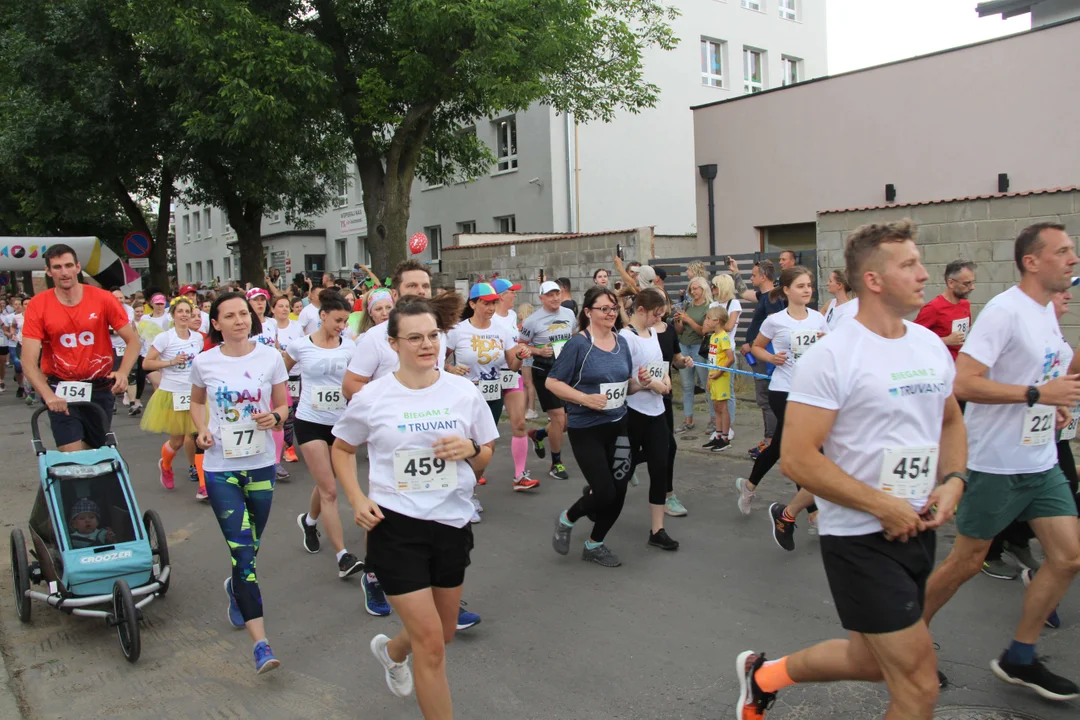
point(241, 501)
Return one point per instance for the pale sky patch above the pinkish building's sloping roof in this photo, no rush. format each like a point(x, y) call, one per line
point(865, 33)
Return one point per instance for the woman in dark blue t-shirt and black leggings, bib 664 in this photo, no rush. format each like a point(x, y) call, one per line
point(593, 375)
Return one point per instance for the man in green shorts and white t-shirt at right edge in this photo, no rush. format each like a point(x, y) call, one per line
point(1012, 374)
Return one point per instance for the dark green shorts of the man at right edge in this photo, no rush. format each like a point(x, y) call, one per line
point(992, 502)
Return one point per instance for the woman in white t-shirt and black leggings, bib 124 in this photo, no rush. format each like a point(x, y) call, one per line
point(792, 332)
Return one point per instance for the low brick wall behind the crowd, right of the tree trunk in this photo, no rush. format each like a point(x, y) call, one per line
point(576, 257)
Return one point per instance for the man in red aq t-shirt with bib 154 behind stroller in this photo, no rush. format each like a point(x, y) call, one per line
point(67, 330)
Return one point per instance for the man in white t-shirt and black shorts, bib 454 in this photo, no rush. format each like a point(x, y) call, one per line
point(877, 396)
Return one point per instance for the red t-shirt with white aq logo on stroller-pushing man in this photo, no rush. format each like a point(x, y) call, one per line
point(75, 341)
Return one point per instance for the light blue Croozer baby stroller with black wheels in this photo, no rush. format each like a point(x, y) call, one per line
point(89, 547)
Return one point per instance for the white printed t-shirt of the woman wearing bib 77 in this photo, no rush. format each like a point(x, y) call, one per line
point(238, 388)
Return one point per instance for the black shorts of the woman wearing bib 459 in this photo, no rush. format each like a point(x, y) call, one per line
point(409, 555)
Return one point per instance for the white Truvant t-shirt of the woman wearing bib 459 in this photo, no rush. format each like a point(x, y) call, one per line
point(391, 417)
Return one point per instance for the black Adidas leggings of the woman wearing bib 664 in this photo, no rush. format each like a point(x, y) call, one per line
point(604, 458)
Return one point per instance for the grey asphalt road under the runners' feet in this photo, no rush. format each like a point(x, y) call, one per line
point(561, 639)
